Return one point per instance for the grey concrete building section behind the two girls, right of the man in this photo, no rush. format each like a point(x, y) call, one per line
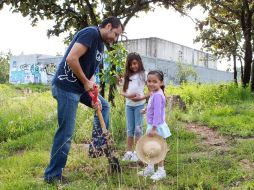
point(163, 55)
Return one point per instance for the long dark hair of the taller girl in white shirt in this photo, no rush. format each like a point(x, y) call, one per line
point(128, 72)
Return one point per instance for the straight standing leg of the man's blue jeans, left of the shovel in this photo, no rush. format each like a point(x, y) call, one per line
point(67, 104)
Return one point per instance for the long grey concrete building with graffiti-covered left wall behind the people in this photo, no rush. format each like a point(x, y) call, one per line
point(156, 54)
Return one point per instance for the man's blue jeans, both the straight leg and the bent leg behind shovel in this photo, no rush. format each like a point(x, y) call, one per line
point(67, 104)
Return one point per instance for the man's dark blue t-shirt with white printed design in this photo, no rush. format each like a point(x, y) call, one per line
point(64, 77)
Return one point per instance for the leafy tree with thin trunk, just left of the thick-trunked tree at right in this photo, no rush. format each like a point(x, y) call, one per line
point(221, 37)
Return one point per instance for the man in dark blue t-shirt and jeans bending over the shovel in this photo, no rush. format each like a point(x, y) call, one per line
point(71, 80)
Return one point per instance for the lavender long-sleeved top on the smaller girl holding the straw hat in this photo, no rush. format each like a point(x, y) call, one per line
point(155, 114)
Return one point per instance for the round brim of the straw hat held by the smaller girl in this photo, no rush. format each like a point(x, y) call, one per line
point(151, 160)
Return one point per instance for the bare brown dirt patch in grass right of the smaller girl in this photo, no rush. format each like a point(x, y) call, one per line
point(209, 136)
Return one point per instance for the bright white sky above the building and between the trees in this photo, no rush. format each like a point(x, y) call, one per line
point(19, 36)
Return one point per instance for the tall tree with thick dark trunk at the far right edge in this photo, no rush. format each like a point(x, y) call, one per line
point(240, 14)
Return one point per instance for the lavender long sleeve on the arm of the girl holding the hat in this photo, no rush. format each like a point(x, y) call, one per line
point(157, 114)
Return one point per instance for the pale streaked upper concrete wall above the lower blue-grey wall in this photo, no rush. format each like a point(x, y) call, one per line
point(159, 48)
